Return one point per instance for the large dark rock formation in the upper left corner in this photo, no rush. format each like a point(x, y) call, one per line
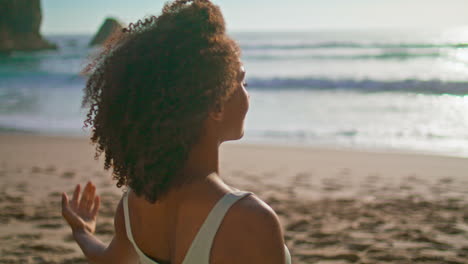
point(20, 21)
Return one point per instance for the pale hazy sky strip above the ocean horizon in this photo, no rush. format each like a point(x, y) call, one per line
point(85, 16)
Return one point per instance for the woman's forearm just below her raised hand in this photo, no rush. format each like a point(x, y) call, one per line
point(93, 248)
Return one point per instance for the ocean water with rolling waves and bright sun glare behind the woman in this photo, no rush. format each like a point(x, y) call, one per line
point(373, 90)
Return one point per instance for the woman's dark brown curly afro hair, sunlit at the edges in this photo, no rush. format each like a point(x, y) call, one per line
point(152, 87)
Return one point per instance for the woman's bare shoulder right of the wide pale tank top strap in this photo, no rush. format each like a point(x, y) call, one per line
point(250, 233)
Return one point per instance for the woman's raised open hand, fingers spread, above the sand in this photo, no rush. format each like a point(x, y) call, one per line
point(81, 213)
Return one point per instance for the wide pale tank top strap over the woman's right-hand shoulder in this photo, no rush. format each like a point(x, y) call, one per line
point(199, 251)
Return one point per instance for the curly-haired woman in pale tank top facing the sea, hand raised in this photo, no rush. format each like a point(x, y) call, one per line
point(163, 97)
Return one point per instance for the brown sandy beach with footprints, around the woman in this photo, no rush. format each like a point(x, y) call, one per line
point(336, 206)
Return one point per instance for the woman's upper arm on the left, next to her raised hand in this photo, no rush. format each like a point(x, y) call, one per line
point(121, 250)
